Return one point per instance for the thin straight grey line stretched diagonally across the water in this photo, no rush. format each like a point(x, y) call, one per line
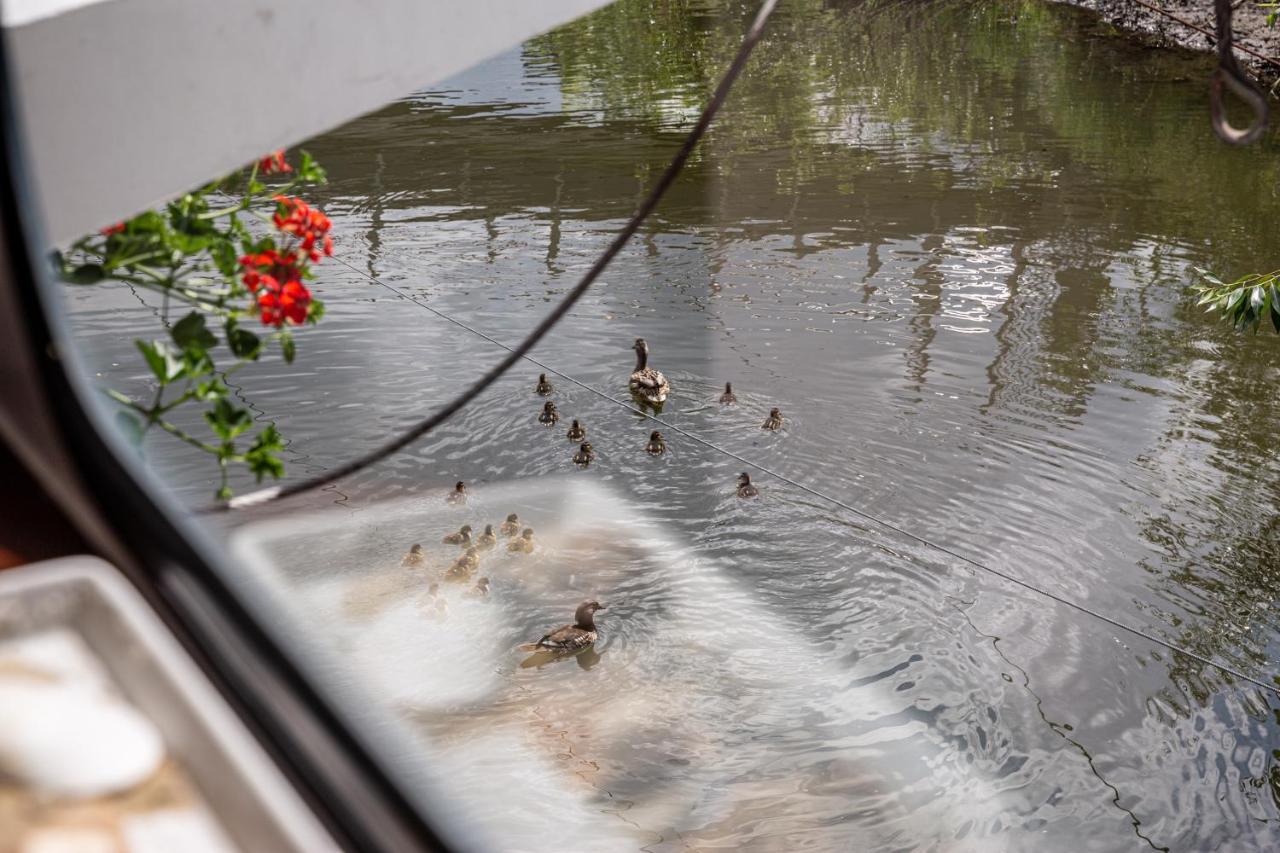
point(889, 526)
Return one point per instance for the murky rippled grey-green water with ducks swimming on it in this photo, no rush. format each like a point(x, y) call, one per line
point(953, 244)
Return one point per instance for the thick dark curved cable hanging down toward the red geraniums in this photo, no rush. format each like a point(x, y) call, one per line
point(550, 322)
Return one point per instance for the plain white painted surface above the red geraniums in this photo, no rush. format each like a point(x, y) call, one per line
point(127, 103)
